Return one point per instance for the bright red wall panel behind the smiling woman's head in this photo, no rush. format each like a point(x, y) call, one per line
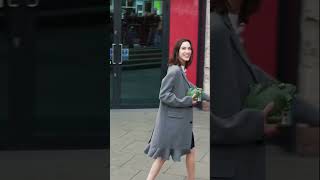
point(184, 24)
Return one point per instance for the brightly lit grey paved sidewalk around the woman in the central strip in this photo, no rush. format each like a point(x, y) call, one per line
point(130, 130)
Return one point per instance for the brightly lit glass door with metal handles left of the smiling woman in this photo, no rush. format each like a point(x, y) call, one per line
point(136, 53)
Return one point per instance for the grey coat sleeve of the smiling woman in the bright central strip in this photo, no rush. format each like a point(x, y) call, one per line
point(167, 96)
